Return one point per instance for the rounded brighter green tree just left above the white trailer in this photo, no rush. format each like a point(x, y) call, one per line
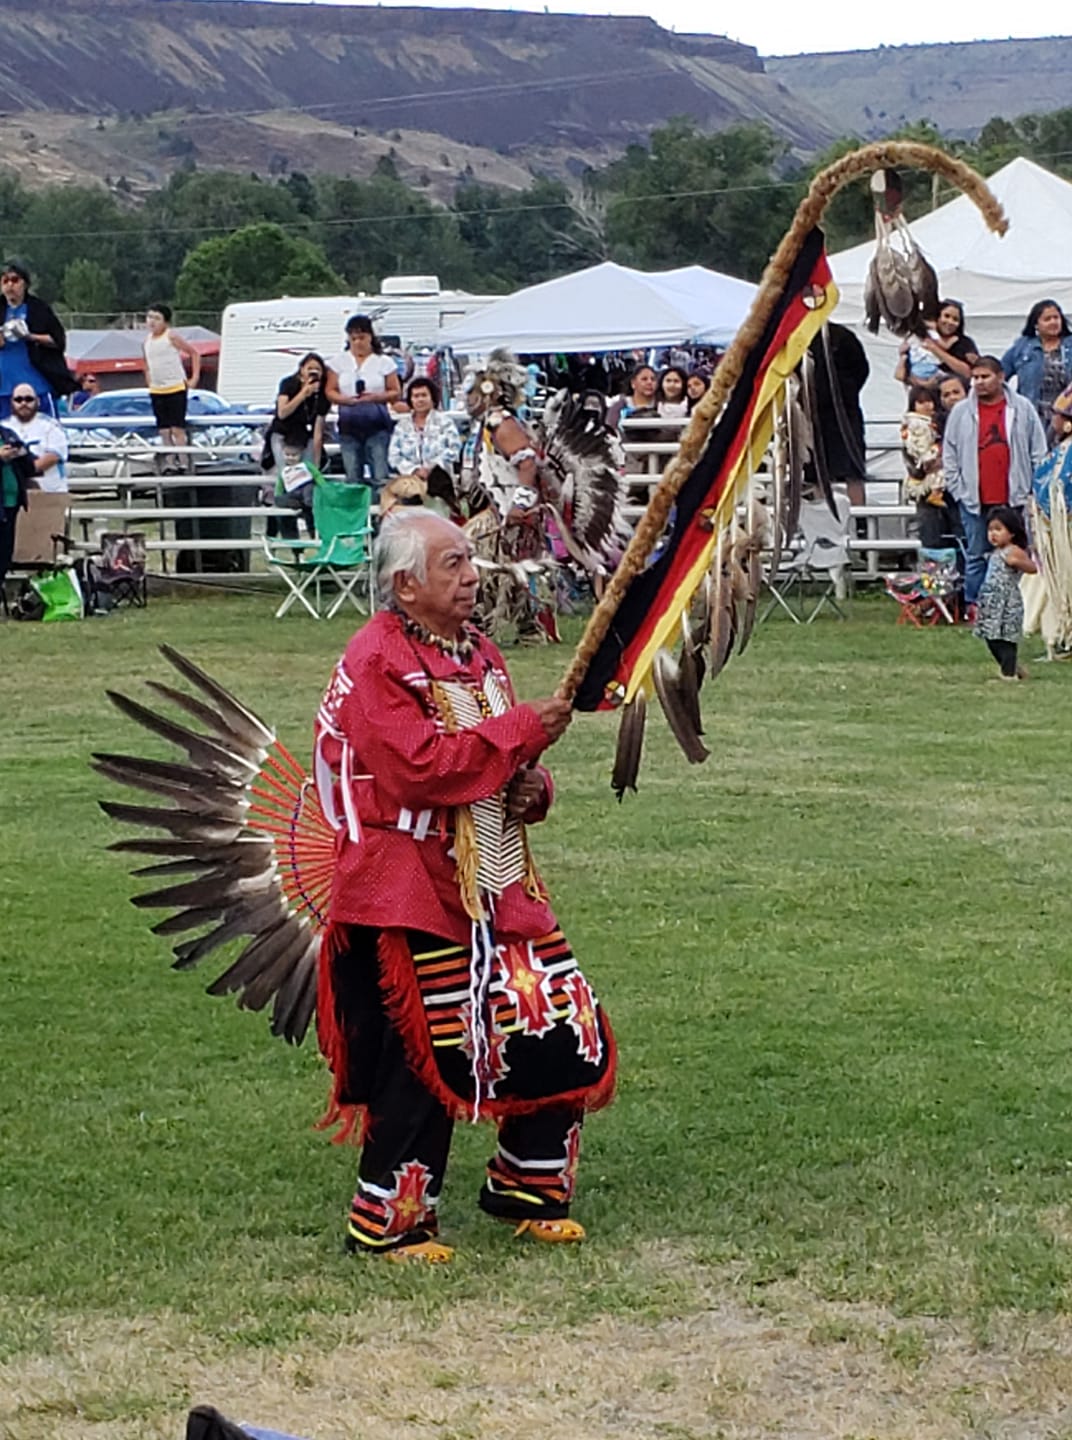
point(254, 263)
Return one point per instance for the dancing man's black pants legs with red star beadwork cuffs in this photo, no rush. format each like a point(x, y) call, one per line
point(408, 1140)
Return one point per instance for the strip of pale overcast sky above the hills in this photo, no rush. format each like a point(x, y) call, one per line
point(780, 28)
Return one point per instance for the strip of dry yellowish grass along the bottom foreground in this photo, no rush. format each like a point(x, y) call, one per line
point(776, 1364)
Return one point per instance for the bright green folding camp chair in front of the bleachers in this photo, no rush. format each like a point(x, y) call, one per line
point(339, 558)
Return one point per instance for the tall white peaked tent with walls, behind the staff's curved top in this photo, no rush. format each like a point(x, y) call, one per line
point(996, 279)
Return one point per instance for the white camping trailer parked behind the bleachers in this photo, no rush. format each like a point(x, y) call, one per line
point(263, 341)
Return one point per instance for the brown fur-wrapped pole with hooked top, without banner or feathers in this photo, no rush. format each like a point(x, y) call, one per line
point(809, 214)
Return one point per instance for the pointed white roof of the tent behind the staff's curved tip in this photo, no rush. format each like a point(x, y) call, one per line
point(956, 237)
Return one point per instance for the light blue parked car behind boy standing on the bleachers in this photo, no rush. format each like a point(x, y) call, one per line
point(129, 417)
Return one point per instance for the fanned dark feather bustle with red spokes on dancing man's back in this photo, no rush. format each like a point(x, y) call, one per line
point(246, 824)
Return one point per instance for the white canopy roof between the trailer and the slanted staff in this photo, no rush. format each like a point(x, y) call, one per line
point(609, 307)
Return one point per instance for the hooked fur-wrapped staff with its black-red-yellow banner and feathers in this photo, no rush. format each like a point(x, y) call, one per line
point(692, 565)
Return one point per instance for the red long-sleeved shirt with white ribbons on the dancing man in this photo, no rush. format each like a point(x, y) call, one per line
point(390, 777)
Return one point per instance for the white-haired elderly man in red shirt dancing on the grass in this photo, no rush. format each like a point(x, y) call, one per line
point(447, 989)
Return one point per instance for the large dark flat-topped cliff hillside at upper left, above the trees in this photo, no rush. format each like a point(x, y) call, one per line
point(555, 93)
